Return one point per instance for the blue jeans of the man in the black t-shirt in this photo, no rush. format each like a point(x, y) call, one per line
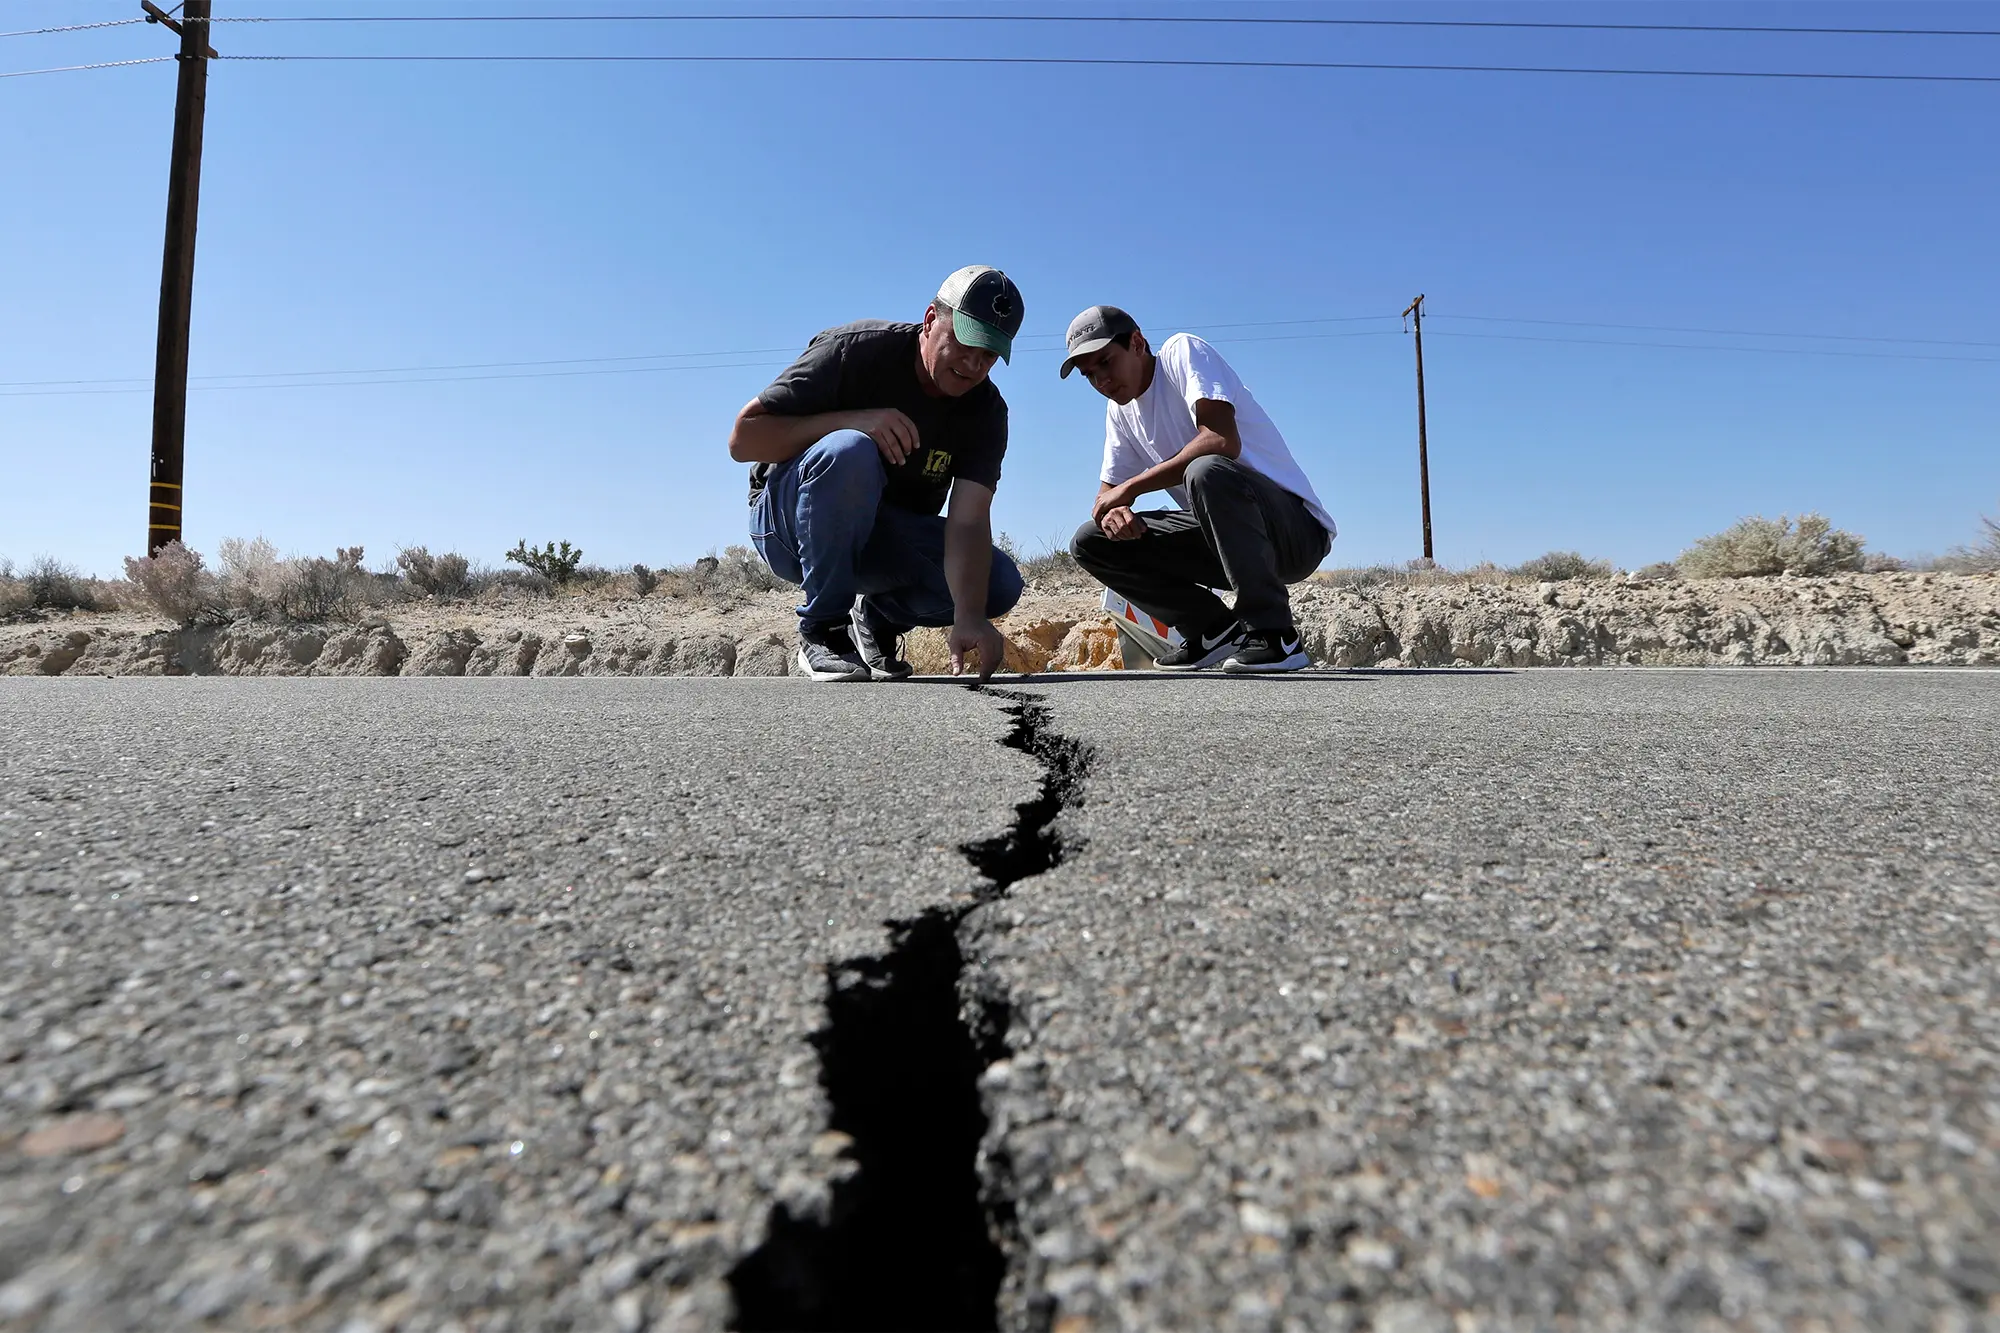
point(823, 525)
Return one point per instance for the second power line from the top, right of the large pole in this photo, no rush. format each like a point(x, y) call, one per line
point(1153, 63)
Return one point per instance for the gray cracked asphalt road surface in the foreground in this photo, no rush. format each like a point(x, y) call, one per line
point(1387, 1002)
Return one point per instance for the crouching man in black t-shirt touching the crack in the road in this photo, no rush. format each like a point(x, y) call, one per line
point(859, 447)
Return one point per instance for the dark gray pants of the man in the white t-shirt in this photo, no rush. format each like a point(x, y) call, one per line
point(1245, 531)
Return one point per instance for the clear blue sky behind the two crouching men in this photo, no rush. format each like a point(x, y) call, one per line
point(711, 217)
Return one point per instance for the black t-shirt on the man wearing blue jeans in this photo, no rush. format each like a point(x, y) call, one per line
point(873, 365)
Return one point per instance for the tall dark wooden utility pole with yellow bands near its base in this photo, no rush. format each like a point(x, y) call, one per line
point(177, 271)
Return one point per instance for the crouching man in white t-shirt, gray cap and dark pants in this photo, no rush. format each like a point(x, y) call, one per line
point(1183, 423)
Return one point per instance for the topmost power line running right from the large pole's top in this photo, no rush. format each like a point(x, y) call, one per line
point(1095, 19)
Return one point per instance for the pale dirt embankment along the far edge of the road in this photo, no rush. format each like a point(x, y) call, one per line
point(1843, 621)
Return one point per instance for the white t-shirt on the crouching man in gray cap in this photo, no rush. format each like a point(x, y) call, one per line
point(1161, 421)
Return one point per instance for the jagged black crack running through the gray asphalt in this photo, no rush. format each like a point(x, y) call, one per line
point(913, 1236)
